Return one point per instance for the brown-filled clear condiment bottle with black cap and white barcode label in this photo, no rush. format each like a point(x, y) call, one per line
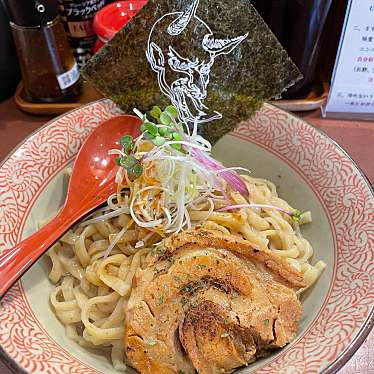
point(49, 70)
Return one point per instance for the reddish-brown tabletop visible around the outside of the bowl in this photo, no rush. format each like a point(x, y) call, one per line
point(356, 137)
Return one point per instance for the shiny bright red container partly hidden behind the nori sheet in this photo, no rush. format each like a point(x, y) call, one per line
point(109, 20)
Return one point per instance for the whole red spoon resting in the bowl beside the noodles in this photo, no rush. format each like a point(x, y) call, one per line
point(91, 183)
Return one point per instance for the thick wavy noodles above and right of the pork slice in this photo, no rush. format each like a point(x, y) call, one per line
point(266, 228)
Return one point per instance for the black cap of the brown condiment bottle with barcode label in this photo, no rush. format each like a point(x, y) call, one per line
point(31, 13)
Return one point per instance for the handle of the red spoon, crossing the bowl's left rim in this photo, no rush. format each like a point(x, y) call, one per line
point(15, 261)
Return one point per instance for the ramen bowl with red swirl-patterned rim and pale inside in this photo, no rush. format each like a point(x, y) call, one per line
point(311, 173)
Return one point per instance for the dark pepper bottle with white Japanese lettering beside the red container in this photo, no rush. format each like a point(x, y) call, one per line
point(78, 17)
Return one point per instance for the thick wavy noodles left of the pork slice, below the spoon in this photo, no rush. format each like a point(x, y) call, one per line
point(91, 291)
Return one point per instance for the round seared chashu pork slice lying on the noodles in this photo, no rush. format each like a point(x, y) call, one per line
point(209, 302)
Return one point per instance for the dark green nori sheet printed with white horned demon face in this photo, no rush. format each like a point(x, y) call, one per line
point(257, 70)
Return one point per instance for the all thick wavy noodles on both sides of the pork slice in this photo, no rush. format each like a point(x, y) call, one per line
point(93, 284)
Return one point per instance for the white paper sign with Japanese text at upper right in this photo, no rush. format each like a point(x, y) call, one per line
point(352, 88)
